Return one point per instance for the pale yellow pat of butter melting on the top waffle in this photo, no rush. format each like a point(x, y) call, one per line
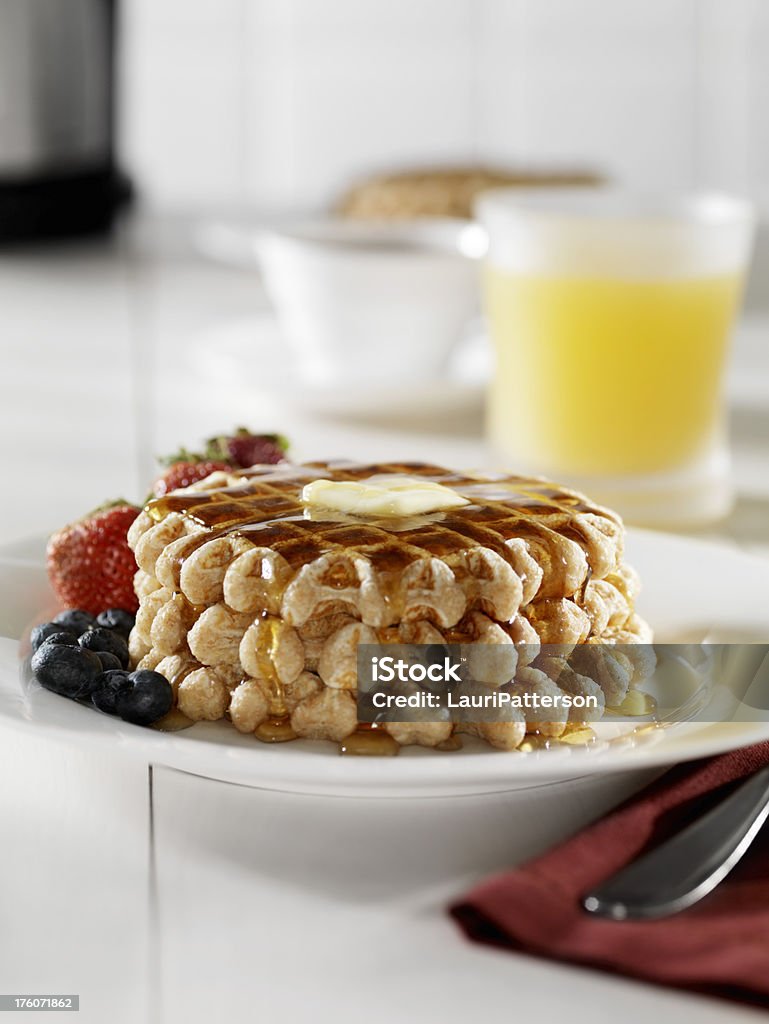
point(398, 496)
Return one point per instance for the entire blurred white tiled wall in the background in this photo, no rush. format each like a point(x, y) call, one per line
point(286, 103)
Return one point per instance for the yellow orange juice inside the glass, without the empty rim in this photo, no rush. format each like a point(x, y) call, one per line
point(602, 375)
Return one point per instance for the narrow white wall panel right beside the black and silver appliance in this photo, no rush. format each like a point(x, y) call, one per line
point(183, 108)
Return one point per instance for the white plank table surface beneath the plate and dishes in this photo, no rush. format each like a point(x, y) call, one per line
point(134, 887)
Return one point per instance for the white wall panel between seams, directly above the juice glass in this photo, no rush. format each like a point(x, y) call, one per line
point(610, 87)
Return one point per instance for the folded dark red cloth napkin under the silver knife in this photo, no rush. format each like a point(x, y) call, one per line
point(719, 947)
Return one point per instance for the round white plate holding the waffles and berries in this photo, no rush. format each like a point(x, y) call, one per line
point(690, 588)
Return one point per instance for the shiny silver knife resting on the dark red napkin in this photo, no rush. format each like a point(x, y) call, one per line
point(682, 871)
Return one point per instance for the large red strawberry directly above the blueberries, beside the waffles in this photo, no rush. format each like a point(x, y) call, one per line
point(90, 564)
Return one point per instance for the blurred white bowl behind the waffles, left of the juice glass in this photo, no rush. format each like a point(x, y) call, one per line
point(363, 302)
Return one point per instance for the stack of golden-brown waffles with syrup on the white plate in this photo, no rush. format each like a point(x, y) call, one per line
point(253, 606)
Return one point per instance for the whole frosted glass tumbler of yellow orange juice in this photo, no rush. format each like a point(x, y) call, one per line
point(611, 317)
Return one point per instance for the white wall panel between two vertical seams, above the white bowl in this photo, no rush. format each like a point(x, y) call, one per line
point(345, 88)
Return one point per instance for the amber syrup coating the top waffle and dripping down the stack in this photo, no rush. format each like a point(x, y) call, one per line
point(267, 509)
